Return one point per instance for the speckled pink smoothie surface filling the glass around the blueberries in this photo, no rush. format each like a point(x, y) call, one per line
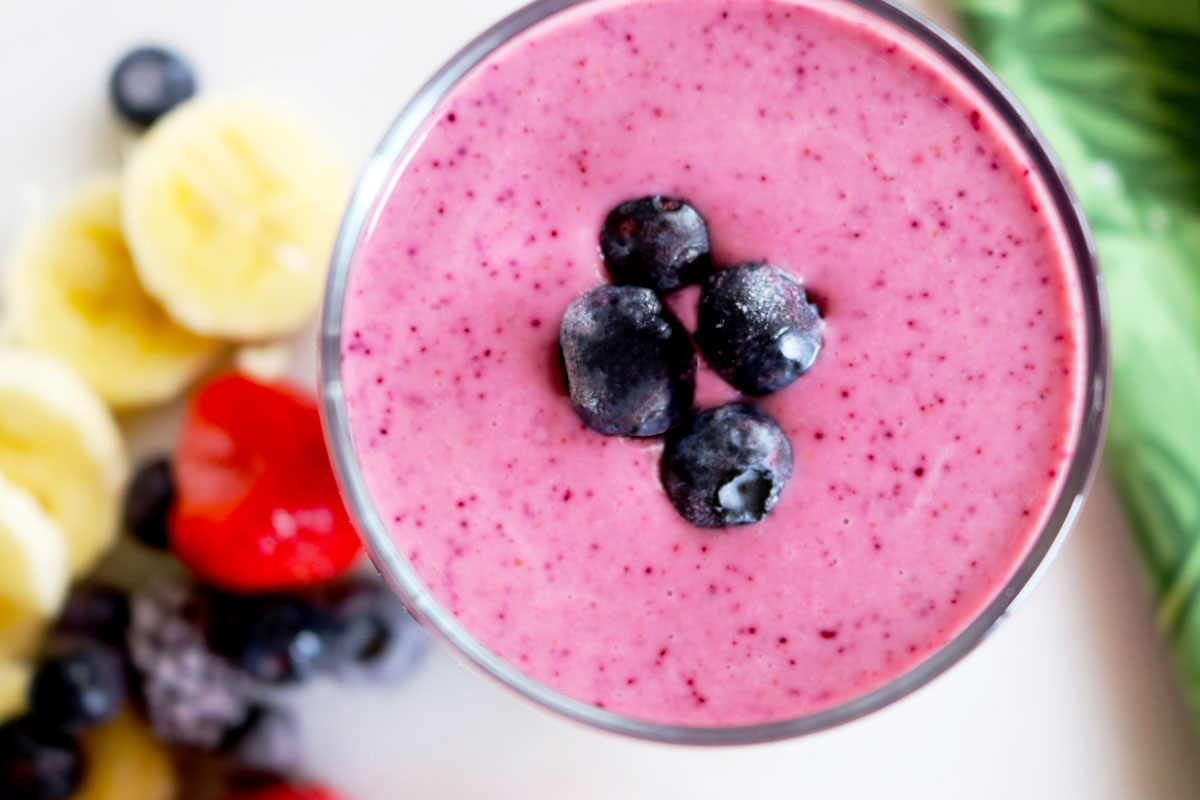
point(931, 440)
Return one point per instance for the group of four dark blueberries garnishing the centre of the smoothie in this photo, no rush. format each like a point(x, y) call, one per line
point(632, 366)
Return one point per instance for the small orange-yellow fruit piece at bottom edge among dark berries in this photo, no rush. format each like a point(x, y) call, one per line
point(125, 762)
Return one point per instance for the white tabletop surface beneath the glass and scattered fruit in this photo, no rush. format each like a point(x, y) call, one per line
point(1072, 699)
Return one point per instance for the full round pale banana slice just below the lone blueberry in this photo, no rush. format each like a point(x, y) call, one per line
point(231, 208)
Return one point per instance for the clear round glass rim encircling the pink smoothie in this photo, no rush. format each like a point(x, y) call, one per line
point(370, 189)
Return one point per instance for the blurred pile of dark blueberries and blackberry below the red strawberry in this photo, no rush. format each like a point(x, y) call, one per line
point(209, 671)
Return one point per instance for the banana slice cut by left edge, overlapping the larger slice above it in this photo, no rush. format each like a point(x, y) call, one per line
point(34, 572)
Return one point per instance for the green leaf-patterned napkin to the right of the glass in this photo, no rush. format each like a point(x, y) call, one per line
point(1115, 86)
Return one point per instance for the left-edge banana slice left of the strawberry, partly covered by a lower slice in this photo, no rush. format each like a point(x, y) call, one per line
point(61, 443)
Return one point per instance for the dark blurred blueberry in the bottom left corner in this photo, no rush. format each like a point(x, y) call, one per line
point(38, 762)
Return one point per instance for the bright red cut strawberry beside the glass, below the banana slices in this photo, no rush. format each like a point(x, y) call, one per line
point(257, 507)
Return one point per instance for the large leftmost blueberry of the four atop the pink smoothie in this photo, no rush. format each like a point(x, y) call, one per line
point(631, 366)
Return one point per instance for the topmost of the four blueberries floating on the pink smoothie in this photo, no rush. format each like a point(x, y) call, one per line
point(658, 243)
